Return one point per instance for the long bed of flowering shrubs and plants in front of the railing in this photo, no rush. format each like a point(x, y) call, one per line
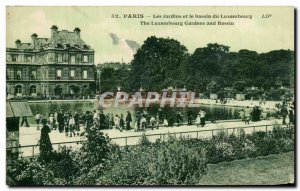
point(180, 161)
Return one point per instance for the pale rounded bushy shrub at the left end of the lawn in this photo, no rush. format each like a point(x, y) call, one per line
point(177, 164)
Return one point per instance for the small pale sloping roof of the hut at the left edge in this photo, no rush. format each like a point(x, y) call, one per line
point(18, 109)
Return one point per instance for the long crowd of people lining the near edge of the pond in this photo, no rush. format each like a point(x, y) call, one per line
point(74, 124)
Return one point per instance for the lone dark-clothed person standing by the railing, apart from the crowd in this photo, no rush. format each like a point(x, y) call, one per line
point(45, 142)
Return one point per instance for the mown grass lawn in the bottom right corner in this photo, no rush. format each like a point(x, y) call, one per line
point(269, 170)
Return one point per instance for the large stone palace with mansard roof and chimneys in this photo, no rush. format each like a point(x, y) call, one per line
point(61, 66)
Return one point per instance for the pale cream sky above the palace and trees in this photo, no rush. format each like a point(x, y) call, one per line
point(97, 26)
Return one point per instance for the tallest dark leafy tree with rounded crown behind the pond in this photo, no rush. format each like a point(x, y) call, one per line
point(157, 60)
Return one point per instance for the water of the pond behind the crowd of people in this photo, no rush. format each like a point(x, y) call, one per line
point(215, 112)
